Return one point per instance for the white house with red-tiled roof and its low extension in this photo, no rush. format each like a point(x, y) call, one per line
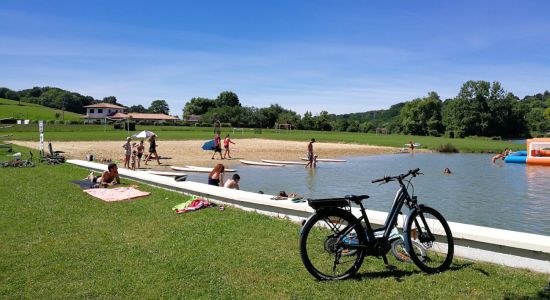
point(107, 111)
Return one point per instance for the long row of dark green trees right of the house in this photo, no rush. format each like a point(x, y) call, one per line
point(481, 108)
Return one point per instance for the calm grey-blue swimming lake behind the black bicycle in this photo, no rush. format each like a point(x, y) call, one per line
point(507, 196)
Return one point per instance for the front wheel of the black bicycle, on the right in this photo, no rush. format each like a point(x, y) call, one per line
point(434, 234)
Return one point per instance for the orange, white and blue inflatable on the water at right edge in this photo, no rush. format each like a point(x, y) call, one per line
point(537, 153)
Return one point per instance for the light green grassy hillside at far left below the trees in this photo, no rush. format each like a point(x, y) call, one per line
point(30, 111)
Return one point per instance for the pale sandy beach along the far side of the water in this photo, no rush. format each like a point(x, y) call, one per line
point(181, 153)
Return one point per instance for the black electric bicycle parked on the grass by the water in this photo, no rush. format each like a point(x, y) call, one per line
point(334, 243)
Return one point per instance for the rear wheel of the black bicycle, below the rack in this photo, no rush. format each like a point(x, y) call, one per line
point(325, 251)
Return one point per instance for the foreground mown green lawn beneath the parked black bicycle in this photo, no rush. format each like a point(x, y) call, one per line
point(58, 242)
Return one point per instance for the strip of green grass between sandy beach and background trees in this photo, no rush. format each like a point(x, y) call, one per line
point(99, 132)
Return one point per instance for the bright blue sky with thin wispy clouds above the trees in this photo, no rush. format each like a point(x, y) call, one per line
point(339, 56)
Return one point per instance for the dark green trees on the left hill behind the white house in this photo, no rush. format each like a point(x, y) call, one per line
point(74, 102)
